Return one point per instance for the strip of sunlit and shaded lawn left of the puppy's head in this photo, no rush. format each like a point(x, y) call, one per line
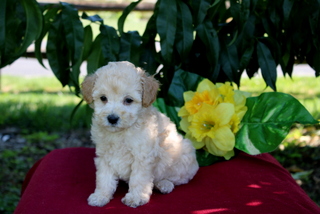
point(39, 104)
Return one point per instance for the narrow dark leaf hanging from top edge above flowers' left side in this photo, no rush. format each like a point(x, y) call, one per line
point(184, 36)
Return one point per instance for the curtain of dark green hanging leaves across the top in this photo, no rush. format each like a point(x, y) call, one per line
point(215, 39)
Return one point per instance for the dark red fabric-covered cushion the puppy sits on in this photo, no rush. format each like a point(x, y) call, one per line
point(62, 181)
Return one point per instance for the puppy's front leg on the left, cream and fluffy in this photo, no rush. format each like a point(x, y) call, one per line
point(106, 184)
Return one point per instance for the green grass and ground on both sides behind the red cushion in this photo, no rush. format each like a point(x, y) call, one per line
point(39, 110)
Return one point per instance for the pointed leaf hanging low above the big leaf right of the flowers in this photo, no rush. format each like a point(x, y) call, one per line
point(267, 65)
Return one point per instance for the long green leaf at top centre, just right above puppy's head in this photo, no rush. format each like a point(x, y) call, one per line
point(166, 26)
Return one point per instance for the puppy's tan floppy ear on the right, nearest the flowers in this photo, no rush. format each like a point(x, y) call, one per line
point(150, 89)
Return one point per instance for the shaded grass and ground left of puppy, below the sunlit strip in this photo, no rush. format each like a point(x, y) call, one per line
point(28, 131)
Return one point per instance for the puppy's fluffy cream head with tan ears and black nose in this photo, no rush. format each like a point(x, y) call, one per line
point(118, 92)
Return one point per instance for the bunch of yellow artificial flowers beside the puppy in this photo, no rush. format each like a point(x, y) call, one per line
point(211, 116)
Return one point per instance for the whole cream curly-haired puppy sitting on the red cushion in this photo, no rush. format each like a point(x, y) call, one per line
point(134, 142)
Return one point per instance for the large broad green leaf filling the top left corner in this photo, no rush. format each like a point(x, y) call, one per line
point(21, 23)
